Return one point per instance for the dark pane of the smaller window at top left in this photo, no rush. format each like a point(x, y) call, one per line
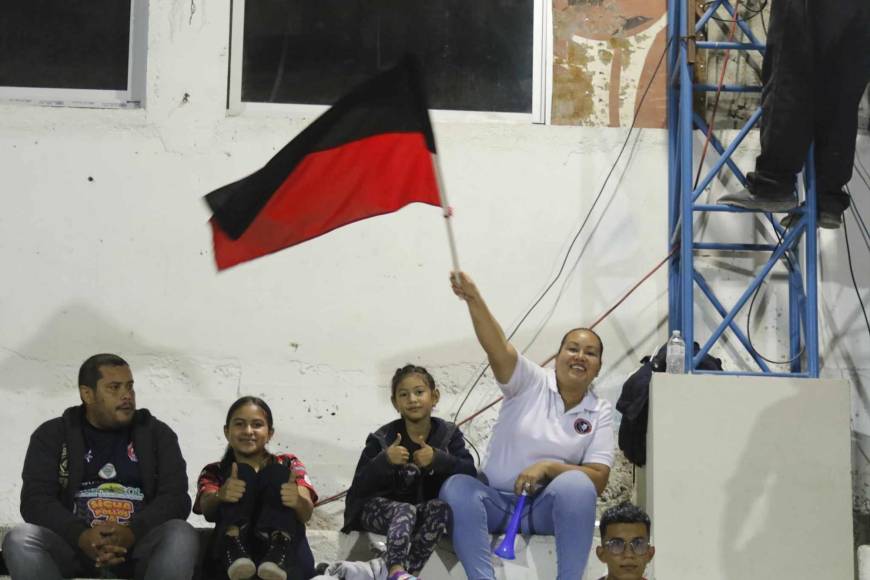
point(65, 44)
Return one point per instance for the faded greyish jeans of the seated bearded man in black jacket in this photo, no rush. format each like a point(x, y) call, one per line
point(167, 552)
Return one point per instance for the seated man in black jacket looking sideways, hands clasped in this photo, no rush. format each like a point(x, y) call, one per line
point(105, 489)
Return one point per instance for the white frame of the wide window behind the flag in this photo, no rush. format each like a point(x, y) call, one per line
point(542, 84)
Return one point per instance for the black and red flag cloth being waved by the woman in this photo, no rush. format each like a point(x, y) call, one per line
point(370, 154)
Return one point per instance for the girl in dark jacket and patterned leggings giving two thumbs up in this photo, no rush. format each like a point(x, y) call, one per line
point(396, 483)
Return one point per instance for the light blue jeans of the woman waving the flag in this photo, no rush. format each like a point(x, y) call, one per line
point(565, 508)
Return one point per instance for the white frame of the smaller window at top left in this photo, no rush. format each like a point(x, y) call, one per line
point(133, 97)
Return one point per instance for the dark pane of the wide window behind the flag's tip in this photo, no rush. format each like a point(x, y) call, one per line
point(476, 54)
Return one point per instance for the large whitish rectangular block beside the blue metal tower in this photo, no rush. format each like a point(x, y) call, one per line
point(750, 478)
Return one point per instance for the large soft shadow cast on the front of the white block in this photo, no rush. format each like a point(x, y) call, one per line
point(765, 522)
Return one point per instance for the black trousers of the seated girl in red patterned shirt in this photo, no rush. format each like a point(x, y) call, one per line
point(261, 512)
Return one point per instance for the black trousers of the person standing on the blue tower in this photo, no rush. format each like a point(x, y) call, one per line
point(815, 69)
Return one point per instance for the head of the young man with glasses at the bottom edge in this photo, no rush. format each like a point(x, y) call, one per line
point(625, 546)
